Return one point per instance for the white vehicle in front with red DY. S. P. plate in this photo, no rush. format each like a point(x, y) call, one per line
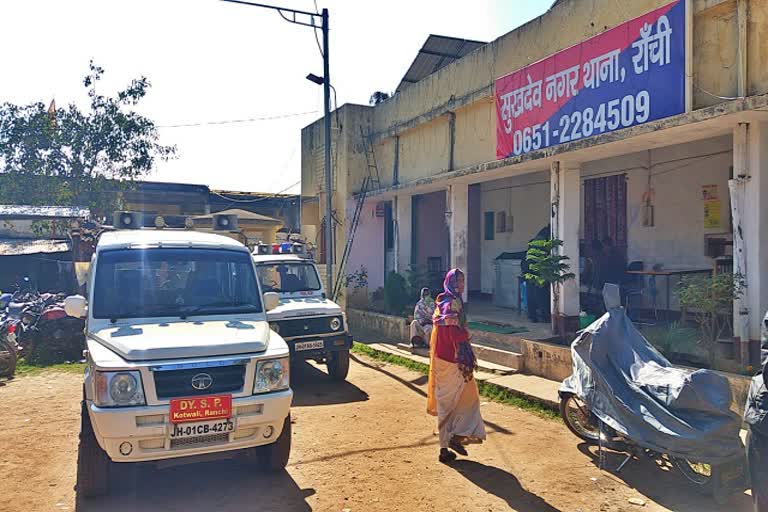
point(181, 361)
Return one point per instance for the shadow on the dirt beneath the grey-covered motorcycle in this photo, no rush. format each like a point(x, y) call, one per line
point(659, 481)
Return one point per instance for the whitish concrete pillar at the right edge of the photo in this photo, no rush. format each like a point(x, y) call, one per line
point(750, 169)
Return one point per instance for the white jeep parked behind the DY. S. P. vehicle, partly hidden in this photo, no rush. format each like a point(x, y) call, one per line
point(314, 326)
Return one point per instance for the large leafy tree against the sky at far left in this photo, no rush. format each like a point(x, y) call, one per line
point(70, 157)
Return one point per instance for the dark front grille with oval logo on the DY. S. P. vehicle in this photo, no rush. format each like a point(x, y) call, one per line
point(178, 383)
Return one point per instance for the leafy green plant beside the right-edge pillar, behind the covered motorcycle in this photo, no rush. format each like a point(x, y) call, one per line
point(710, 300)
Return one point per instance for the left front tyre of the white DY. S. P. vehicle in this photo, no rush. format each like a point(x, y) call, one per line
point(93, 464)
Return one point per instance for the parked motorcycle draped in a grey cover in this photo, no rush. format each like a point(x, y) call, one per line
point(625, 396)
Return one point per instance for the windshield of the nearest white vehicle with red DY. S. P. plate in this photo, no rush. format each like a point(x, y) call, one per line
point(135, 283)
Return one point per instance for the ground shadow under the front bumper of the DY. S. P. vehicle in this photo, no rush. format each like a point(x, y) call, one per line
point(222, 485)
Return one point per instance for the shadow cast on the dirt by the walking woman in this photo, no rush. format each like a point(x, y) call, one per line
point(502, 484)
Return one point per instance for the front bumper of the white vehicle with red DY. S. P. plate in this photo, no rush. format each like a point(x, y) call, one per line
point(147, 429)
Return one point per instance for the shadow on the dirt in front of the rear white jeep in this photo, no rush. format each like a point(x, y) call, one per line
point(312, 386)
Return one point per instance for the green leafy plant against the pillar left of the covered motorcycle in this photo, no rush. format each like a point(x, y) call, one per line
point(547, 267)
